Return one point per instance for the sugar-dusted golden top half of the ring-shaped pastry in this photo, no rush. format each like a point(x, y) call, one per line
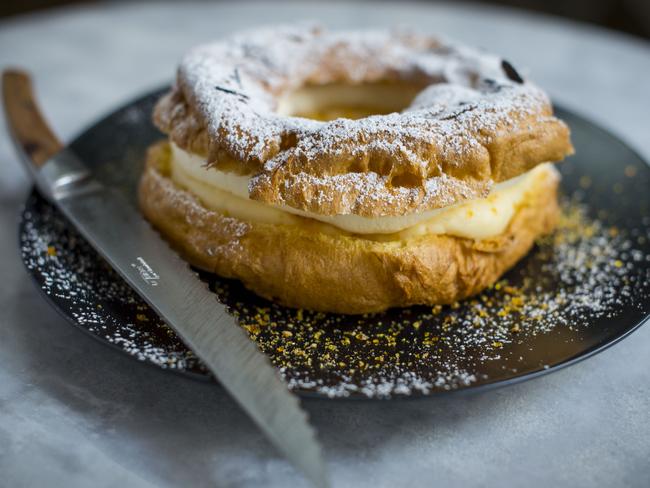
point(475, 122)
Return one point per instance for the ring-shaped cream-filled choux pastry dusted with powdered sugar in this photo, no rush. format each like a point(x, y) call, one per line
point(353, 171)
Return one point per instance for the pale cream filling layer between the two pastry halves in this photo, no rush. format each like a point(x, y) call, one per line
point(227, 193)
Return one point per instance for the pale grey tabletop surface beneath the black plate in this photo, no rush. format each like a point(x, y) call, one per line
point(74, 413)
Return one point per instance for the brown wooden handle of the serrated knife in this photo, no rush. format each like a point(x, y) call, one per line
point(29, 129)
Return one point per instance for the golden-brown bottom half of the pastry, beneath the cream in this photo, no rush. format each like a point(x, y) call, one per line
point(301, 267)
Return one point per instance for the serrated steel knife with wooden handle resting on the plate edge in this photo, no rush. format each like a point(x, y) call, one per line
point(119, 233)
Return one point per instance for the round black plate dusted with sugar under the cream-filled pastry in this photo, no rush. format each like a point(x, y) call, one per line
point(575, 294)
